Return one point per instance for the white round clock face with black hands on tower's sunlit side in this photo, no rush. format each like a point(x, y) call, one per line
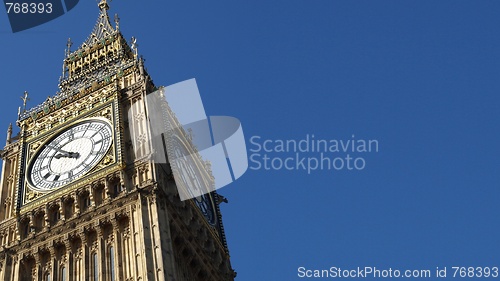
point(70, 154)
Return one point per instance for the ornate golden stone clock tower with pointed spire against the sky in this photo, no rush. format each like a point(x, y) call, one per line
point(81, 198)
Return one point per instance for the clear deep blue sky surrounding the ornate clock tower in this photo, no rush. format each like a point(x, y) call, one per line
point(421, 77)
